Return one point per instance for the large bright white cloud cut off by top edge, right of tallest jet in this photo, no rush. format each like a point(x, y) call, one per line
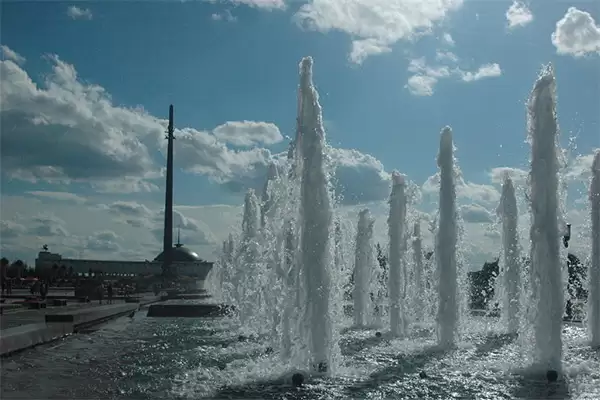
point(384, 22)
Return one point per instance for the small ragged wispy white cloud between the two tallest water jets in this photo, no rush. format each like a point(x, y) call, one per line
point(425, 76)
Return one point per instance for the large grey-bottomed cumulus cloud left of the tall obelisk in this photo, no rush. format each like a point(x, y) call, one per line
point(69, 131)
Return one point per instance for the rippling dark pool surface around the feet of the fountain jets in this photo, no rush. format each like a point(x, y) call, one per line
point(145, 358)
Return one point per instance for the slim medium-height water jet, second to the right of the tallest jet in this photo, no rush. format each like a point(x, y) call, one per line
point(396, 230)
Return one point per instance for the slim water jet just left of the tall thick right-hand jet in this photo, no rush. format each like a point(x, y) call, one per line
point(508, 212)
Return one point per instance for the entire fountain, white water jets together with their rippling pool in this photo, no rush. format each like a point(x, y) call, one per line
point(287, 266)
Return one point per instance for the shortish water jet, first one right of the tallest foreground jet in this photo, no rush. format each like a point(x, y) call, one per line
point(363, 268)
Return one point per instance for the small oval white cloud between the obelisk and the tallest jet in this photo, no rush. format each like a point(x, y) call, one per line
point(248, 133)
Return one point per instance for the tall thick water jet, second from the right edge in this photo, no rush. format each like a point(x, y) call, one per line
point(546, 271)
